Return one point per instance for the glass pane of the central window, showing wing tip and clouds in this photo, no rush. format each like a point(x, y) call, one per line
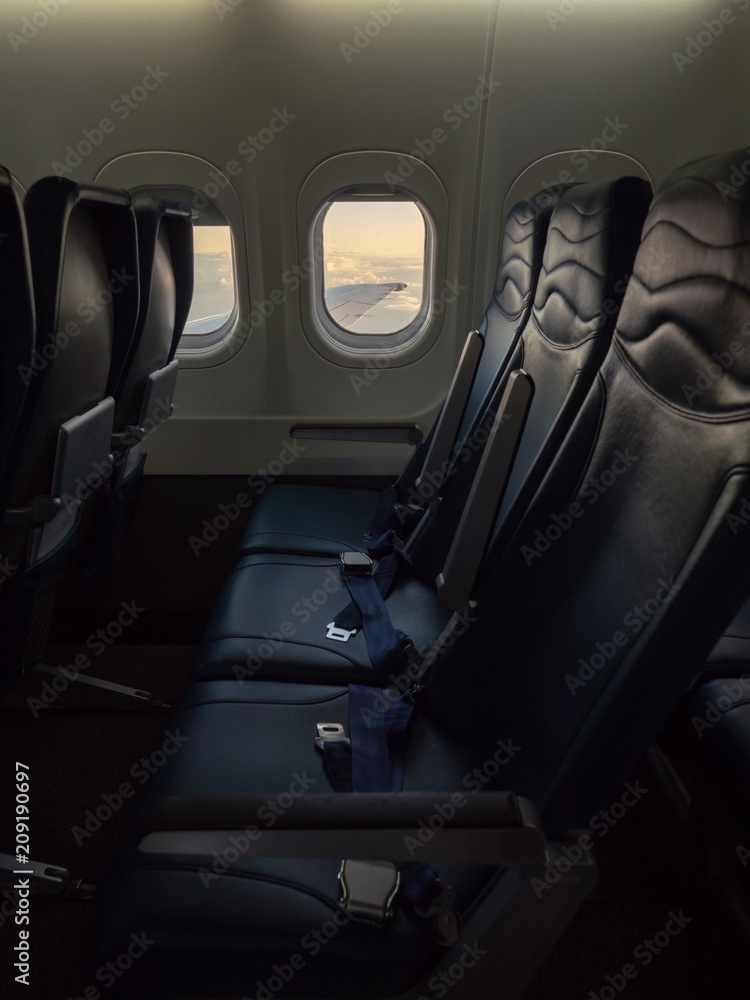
point(374, 257)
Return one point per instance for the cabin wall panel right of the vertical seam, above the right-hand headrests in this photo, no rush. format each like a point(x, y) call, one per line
point(564, 73)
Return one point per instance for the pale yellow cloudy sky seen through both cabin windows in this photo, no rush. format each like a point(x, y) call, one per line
point(367, 241)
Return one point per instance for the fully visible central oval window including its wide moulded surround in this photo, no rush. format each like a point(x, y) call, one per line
point(378, 221)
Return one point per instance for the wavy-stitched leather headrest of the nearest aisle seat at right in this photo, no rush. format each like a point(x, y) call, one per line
point(693, 267)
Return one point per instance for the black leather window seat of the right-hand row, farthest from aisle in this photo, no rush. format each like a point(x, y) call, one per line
point(319, 520)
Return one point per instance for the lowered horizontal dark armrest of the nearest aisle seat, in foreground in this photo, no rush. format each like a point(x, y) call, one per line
point(490, 828)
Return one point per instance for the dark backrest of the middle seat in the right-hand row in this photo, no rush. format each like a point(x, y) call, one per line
point(588, 256)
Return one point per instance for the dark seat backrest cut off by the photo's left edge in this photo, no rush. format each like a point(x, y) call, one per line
point(16, 320)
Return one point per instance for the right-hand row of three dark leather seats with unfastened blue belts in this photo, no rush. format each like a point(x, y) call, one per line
point(484, 669)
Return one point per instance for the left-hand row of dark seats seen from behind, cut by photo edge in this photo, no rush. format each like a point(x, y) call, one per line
point(96, 289)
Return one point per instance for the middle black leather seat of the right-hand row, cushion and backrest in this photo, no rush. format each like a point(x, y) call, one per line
point(271, 617)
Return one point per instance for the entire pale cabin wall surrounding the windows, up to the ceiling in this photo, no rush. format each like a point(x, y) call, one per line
point(559, 83)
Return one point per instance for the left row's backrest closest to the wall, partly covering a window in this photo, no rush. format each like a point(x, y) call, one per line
point(165, 257)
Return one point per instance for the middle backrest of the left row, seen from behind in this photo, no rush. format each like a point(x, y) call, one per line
point(84, 266)
